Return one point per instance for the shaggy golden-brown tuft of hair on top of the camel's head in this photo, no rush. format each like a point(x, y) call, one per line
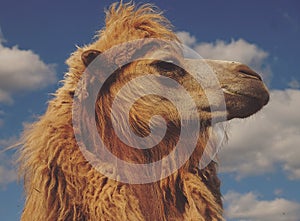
point(146, 21)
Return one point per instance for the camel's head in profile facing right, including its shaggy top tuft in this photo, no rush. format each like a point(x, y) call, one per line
point(146, 81)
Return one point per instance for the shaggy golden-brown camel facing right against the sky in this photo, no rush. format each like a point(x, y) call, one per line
point(61, 184)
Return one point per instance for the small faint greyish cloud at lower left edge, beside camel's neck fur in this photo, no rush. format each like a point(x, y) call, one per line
point(8, 173)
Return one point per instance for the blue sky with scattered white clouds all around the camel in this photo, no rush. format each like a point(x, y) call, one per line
point(259, 167)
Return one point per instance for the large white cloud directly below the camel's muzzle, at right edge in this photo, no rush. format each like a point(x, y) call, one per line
point(258, 144)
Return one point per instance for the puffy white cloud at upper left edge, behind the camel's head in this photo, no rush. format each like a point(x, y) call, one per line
point(22, 70)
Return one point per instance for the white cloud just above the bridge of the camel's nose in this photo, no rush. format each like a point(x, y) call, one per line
point(236, 50)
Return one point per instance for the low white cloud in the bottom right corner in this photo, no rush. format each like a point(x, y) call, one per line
point(249, 207)
